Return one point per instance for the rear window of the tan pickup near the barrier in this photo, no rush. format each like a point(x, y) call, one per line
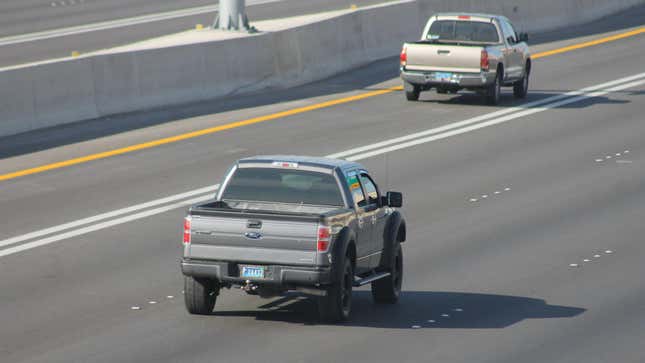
point(462, 31)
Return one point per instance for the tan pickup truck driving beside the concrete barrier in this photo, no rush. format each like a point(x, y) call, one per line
point(477, 52)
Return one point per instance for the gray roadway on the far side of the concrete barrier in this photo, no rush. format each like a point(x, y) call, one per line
point(92, 41)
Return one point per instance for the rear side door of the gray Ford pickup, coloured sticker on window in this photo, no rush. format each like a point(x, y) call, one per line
point(363, 221)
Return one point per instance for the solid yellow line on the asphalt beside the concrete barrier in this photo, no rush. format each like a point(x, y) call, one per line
point(255, 120)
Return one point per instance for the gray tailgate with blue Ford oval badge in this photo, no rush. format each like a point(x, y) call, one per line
point(253, 238)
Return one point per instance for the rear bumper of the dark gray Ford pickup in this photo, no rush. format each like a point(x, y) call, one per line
point(278, 275)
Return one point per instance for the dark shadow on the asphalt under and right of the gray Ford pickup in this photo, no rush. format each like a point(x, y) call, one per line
point(420, 310)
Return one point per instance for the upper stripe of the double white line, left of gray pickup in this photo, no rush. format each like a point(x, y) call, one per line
point(115, 213)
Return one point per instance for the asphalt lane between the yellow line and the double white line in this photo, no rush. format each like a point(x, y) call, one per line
point(116, 182)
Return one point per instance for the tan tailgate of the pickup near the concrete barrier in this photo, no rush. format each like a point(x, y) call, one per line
point(439, 57)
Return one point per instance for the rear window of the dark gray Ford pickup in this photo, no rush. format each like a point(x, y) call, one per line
point(283, 186)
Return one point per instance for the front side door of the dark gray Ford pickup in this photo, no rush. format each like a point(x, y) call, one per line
point(377, 217)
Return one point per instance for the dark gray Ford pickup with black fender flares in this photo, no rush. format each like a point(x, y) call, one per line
point(287, 223)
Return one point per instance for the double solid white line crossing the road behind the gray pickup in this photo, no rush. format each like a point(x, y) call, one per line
point(581, 96)
